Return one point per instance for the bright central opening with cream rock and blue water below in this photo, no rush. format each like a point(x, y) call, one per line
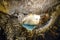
point(31, 21)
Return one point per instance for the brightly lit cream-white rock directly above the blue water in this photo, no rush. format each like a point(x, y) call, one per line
point(31, 19)
